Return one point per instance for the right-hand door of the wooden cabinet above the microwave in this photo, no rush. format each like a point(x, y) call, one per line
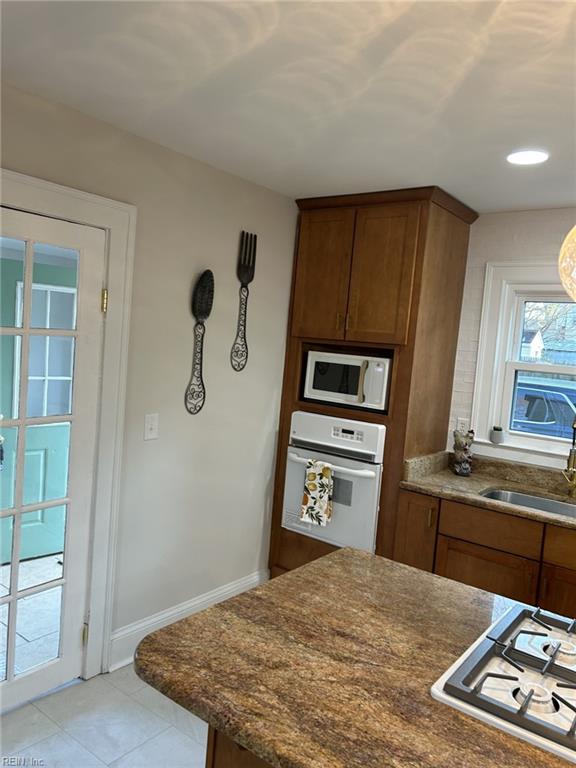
point(382, 273)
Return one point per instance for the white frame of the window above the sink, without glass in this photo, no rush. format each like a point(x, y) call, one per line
point(506, 289)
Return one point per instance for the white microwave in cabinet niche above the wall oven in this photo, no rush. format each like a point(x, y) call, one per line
point(353, 380)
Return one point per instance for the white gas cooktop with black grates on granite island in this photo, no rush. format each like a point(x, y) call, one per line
point(520, 676)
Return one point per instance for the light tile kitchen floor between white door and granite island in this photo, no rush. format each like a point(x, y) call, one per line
point(115, 720)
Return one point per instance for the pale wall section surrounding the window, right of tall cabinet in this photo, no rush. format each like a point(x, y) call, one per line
point(514, 236)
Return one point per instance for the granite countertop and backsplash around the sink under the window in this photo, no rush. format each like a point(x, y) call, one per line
point(430, 475)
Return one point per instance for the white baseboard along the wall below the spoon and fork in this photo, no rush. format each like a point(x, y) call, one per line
point(125, 640)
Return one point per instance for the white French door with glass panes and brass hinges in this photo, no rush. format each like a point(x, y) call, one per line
point(51, 278)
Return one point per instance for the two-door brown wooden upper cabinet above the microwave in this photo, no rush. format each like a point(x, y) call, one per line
point(354, 273)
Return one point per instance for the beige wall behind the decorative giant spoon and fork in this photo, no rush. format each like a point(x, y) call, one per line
point(196, 502)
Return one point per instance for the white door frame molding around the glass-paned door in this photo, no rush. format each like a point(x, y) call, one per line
point(118, 219)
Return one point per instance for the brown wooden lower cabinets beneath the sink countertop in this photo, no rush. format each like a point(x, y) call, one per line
point(488, 549)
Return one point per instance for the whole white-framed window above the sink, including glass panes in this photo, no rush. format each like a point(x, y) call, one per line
point(526, 371)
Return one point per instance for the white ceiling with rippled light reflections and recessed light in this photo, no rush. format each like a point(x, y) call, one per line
point(313, 98)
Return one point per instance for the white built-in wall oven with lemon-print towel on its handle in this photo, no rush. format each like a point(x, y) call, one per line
point(354, 450)
